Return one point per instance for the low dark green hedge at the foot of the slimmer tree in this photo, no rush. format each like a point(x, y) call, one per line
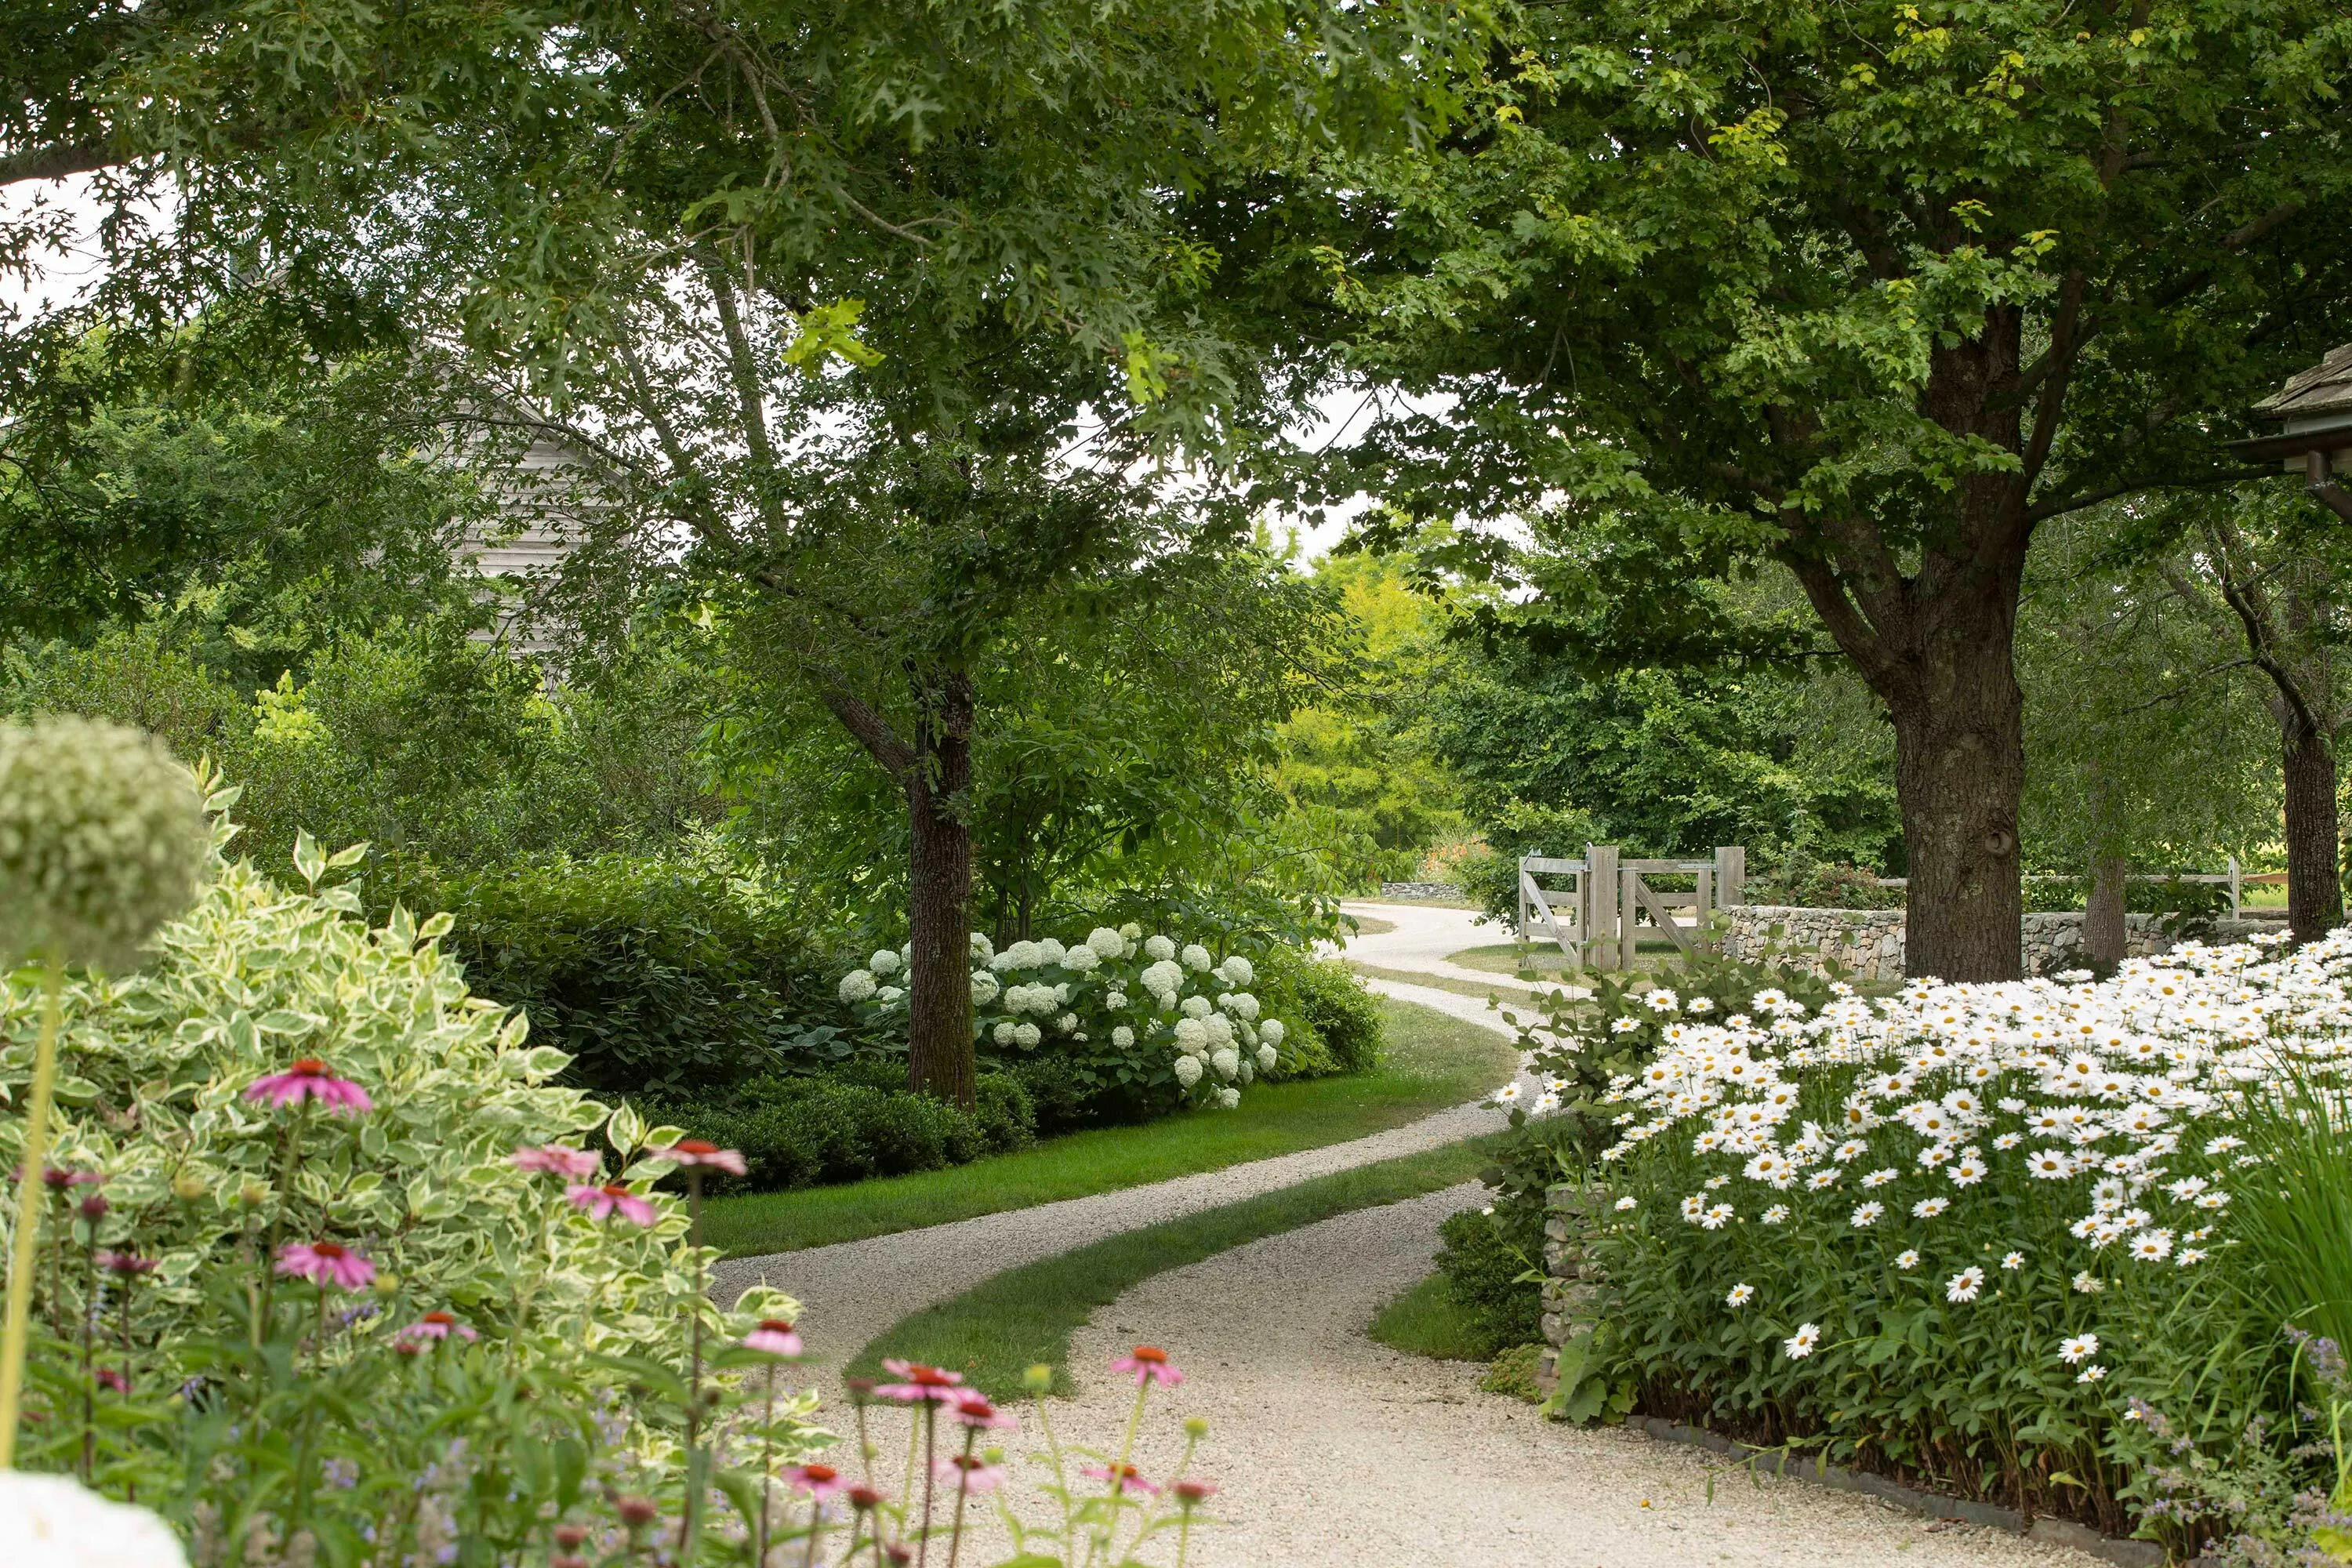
point(808, 1132)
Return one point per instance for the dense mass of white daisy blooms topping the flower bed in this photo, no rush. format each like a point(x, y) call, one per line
point(2109, 1099)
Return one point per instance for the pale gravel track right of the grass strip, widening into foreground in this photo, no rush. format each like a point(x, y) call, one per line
point(1337, 1452)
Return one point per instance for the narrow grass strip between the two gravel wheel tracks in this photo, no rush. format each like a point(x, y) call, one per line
point(1024, 1318)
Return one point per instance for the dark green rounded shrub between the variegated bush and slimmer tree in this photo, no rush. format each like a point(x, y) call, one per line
point(648, 972)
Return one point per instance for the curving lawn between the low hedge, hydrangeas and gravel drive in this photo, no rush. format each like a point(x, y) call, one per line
point(1434, 1061)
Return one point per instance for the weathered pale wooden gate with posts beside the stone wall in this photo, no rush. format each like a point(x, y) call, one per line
point(1598, 923)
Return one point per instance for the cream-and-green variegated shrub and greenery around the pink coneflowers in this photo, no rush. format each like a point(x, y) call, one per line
point(203, 1186)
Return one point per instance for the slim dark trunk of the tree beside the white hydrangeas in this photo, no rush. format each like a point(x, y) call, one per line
point(940, 892)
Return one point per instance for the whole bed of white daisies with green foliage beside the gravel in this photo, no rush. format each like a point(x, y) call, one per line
point(1972, 1233)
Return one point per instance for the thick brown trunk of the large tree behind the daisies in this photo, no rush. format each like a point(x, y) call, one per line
point(1960, 779)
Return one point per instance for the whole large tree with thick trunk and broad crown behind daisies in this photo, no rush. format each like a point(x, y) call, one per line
point(1871, 295)
